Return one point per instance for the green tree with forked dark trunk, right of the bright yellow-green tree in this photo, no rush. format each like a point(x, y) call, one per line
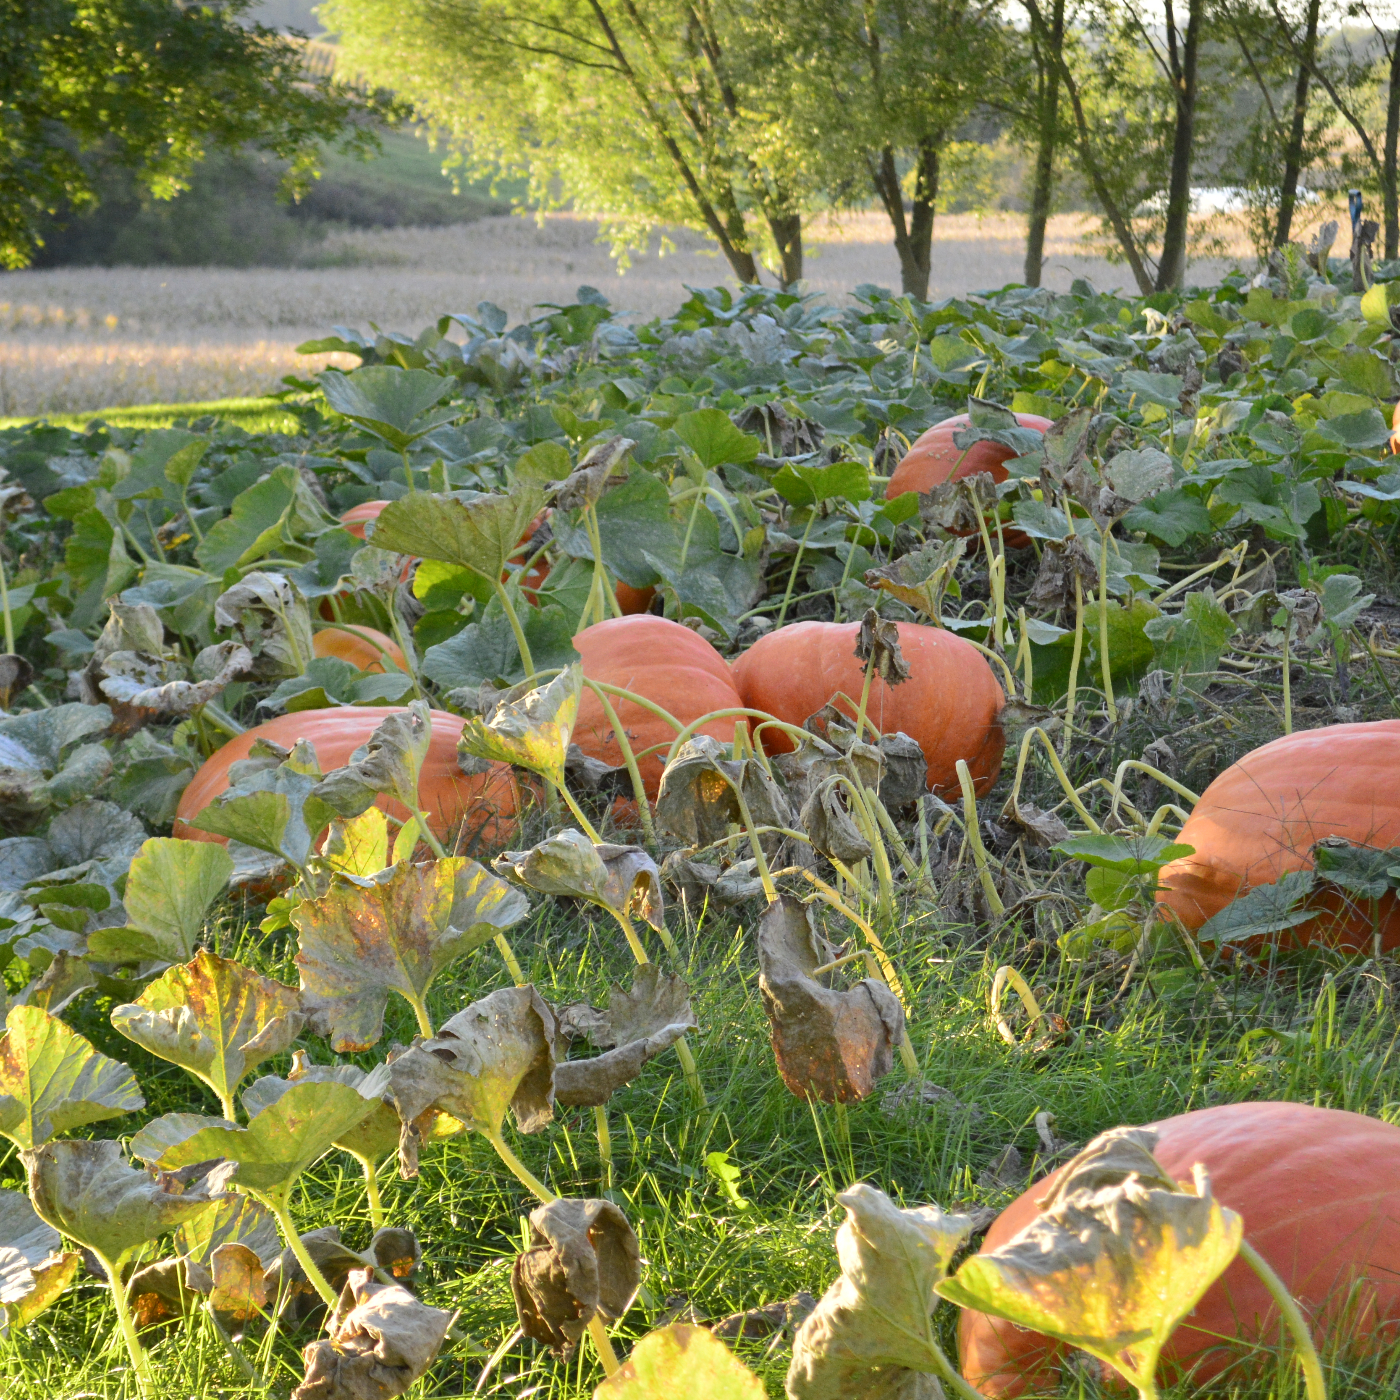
point(876, 90)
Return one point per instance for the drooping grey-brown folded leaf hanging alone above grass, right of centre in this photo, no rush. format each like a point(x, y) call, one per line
point(829, 1045)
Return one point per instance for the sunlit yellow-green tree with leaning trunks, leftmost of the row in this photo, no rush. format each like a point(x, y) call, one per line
point(650, 113)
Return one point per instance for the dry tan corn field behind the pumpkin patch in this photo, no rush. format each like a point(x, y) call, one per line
point(87, 338)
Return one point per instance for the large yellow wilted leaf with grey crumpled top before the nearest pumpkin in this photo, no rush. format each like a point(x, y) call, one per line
point(1116, 1259)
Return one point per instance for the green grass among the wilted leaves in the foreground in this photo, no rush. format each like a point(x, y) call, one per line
point(1167, 1048)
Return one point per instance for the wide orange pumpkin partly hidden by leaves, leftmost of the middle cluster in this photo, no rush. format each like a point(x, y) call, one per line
point(484, 806)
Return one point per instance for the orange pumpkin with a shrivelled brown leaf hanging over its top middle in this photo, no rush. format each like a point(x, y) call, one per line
point(950, 705)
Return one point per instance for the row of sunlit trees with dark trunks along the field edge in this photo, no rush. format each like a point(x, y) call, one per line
point(744, 117)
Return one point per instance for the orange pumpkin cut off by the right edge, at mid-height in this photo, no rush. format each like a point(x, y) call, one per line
point(1262, 817)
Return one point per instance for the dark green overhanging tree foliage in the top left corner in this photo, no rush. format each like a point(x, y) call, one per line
point(150, 85)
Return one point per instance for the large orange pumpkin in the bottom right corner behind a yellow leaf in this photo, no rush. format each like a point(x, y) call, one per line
point(1321, 1199)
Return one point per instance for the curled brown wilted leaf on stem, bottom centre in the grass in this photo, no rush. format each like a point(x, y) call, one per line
point(583, 1263)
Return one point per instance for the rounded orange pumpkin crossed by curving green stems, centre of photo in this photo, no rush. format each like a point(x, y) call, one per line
point(667, 664)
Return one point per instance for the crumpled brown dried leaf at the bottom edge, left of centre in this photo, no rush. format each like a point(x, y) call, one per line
point(383, 1340)
